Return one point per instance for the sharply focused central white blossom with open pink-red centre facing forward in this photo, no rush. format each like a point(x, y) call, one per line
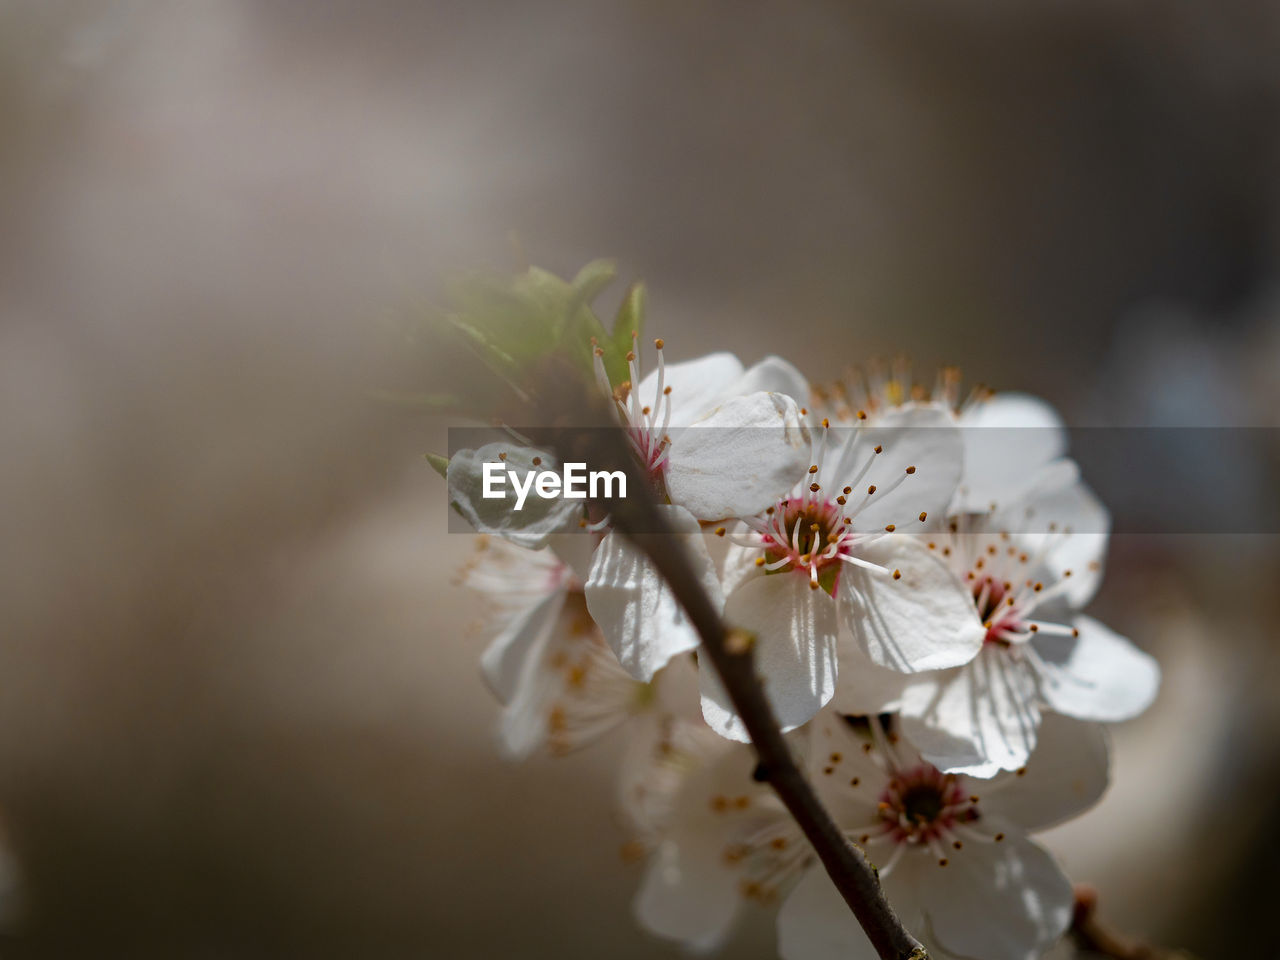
point(830, 557)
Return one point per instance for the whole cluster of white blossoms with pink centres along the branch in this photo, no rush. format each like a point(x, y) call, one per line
point(912, 568)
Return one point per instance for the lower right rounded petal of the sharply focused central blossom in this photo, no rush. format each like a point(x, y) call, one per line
point(925, 620)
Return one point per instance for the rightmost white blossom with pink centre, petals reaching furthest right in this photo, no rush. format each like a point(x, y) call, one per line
point(1040, 653)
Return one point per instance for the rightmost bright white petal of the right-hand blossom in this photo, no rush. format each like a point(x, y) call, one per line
point(1096, 676)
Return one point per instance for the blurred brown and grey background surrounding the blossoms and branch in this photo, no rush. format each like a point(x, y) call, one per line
point(240, 711)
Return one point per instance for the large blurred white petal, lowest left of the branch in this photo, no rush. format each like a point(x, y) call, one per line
point(691, 893)
